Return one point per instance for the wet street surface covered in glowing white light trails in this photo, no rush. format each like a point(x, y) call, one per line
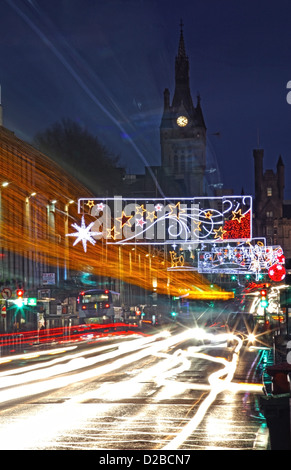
point(174, 390)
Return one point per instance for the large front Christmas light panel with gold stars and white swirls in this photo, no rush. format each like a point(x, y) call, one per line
point(151, 221)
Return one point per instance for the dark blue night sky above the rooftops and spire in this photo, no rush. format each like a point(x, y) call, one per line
point(106, 63)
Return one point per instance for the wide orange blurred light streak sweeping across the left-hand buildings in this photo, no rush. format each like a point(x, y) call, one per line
point(32, 234)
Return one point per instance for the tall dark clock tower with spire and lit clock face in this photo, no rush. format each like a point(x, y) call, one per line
point(183, 134)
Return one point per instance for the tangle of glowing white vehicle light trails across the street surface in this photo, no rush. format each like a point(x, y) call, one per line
point(164, 372)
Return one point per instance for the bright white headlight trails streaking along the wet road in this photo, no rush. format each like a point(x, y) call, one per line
point(164, 373)
